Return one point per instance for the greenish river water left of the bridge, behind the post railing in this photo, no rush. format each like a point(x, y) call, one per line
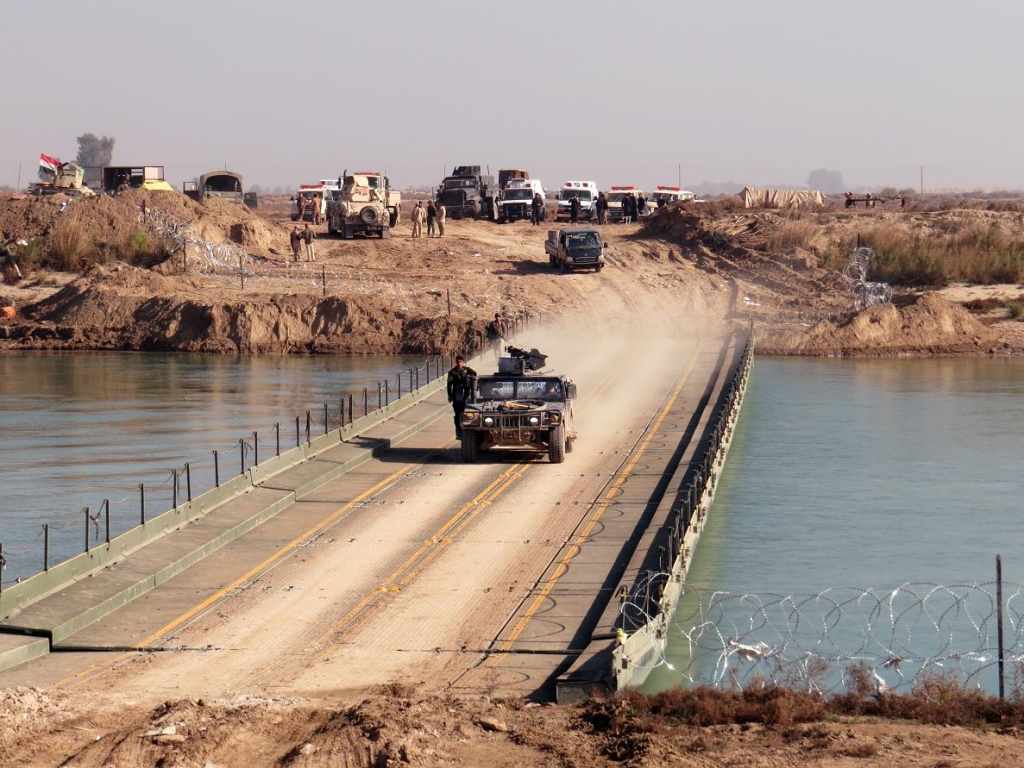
point(78, 430)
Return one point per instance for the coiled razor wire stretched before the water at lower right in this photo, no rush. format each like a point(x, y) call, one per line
point(808, 643)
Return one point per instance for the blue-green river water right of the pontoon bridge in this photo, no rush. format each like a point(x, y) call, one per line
point(856, 493)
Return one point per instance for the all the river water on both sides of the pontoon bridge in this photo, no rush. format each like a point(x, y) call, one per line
point(845, 480)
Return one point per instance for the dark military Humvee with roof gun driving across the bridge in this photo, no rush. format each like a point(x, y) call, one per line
point(521, 408)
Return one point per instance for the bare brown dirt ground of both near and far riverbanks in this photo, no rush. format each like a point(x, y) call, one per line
point(684, 268)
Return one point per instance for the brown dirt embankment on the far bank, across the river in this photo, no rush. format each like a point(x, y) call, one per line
point(433, 295)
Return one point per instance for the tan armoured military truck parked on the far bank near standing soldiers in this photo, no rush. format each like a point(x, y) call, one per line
point(366, 203)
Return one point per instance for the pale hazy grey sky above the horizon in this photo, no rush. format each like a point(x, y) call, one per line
point(619, 93)
